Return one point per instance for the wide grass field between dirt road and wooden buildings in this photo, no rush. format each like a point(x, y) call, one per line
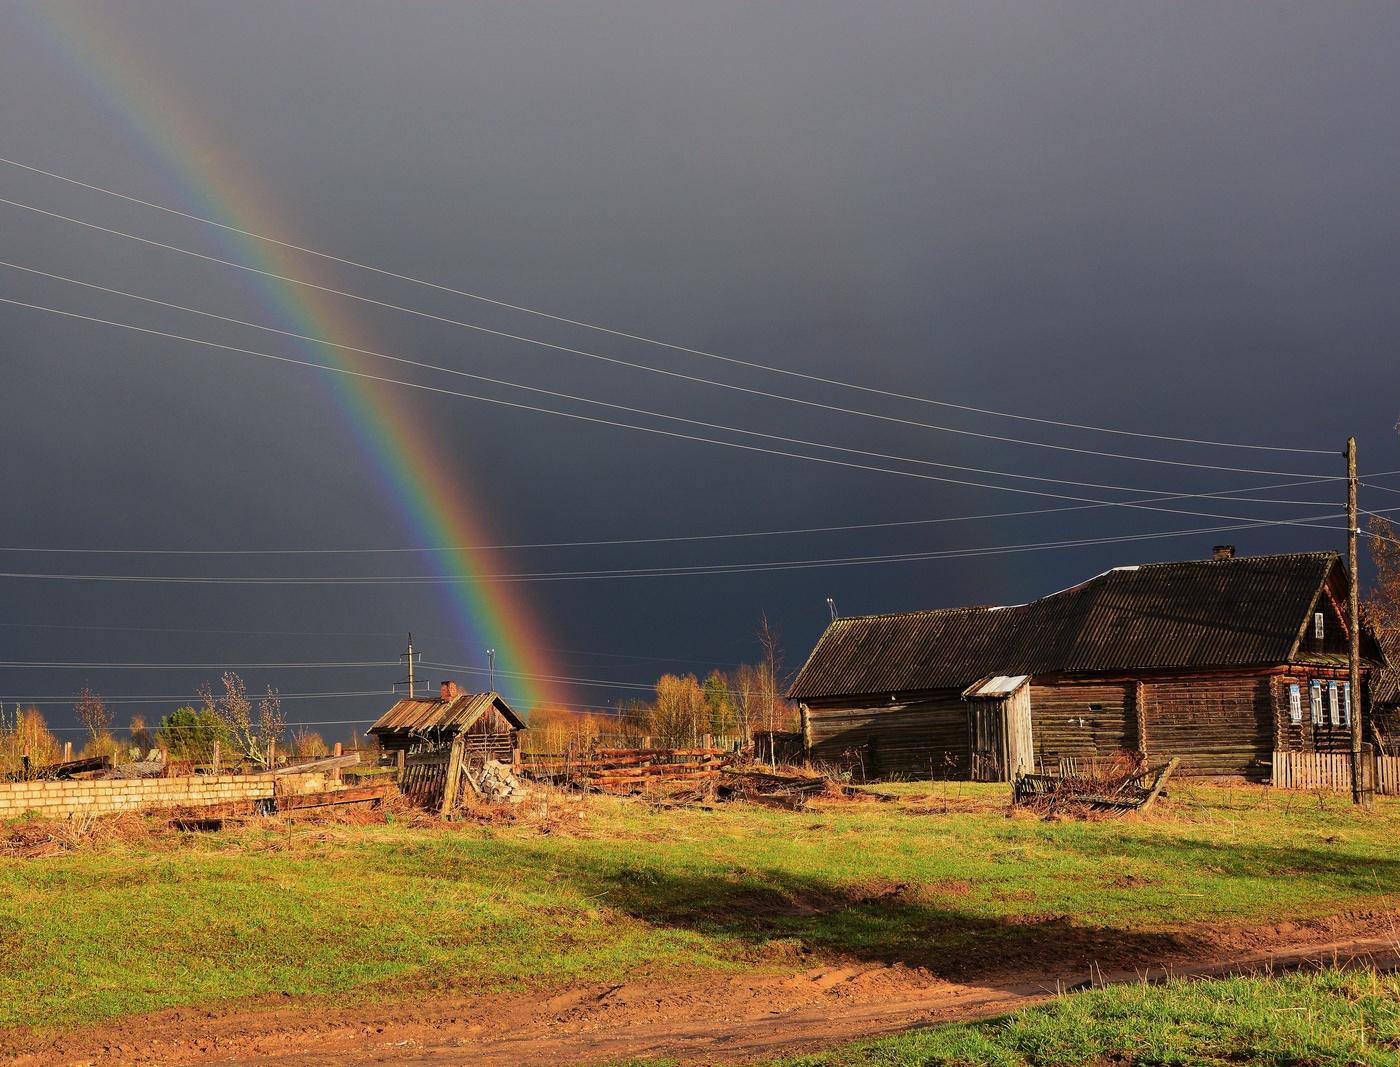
point(145, 922)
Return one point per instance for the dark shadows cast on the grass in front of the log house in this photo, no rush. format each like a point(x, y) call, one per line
point(878, 921)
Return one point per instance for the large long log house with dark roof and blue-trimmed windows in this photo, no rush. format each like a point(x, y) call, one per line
point(1219, 663)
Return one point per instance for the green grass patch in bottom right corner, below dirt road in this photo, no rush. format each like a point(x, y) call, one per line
point(1314, 1020)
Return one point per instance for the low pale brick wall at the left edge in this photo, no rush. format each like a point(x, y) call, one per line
point(64, 799)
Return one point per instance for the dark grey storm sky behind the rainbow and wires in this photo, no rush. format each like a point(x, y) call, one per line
point(1175, 219)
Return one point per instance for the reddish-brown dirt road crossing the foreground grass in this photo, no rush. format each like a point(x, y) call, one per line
point(692, 1020)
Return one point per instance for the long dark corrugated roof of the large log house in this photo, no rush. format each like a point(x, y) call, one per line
point(1200, 614)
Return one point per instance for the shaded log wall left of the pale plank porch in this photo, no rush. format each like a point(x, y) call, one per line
point(920, 739)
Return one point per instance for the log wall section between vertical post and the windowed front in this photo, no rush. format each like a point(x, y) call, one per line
point(1217, 726)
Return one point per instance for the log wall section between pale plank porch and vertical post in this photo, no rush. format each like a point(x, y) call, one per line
point(1086, 720)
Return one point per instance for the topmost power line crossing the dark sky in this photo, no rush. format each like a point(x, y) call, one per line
point(624, 334)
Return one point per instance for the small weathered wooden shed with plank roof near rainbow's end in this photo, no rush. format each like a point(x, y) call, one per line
point(488, 727)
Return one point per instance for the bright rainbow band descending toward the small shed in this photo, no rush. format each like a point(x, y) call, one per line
point(414, 471)
